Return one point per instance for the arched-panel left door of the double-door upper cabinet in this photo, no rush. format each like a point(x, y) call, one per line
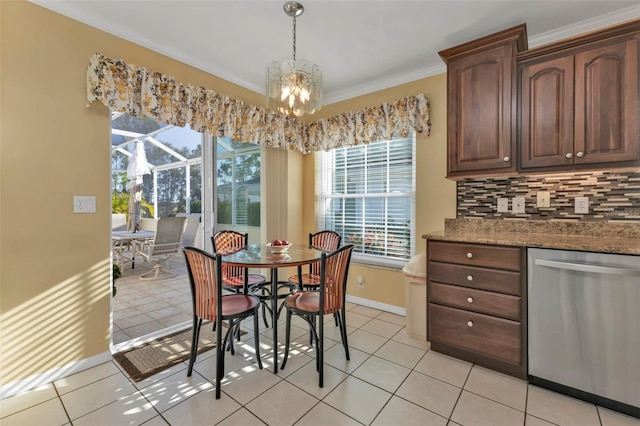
point(546, 132)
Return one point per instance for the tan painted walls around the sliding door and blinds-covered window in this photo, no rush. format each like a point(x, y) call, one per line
point(54, 264)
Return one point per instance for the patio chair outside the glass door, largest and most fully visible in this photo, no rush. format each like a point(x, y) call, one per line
point(166, 243)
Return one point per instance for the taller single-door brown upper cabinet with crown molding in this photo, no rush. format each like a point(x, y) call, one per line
point(481, 110)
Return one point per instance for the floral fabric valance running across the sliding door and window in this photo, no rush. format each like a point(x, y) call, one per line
point(143, 93)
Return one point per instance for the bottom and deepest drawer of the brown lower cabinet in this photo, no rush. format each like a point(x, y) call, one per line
point(490, 336)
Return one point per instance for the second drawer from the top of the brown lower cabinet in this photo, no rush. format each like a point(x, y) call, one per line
point(480, 278)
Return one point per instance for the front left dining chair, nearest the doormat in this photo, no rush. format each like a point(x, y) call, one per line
point(205, 276)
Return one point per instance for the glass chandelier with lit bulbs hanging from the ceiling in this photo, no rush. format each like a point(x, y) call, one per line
point(294, 86)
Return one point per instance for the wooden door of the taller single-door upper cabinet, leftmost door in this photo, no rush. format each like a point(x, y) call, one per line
point(480, 111)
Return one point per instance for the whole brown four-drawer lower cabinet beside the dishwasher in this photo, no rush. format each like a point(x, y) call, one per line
point(476, 304)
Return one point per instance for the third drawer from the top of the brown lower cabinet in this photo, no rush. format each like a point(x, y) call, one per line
point(484, 302)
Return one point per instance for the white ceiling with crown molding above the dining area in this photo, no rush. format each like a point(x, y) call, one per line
point(361, 46)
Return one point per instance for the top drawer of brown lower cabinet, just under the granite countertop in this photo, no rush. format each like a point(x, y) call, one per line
point(489, 256)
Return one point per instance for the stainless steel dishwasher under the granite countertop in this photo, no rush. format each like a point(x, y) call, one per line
point(584, 326)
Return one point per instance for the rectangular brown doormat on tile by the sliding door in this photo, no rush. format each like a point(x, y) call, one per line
point(152, 357)
